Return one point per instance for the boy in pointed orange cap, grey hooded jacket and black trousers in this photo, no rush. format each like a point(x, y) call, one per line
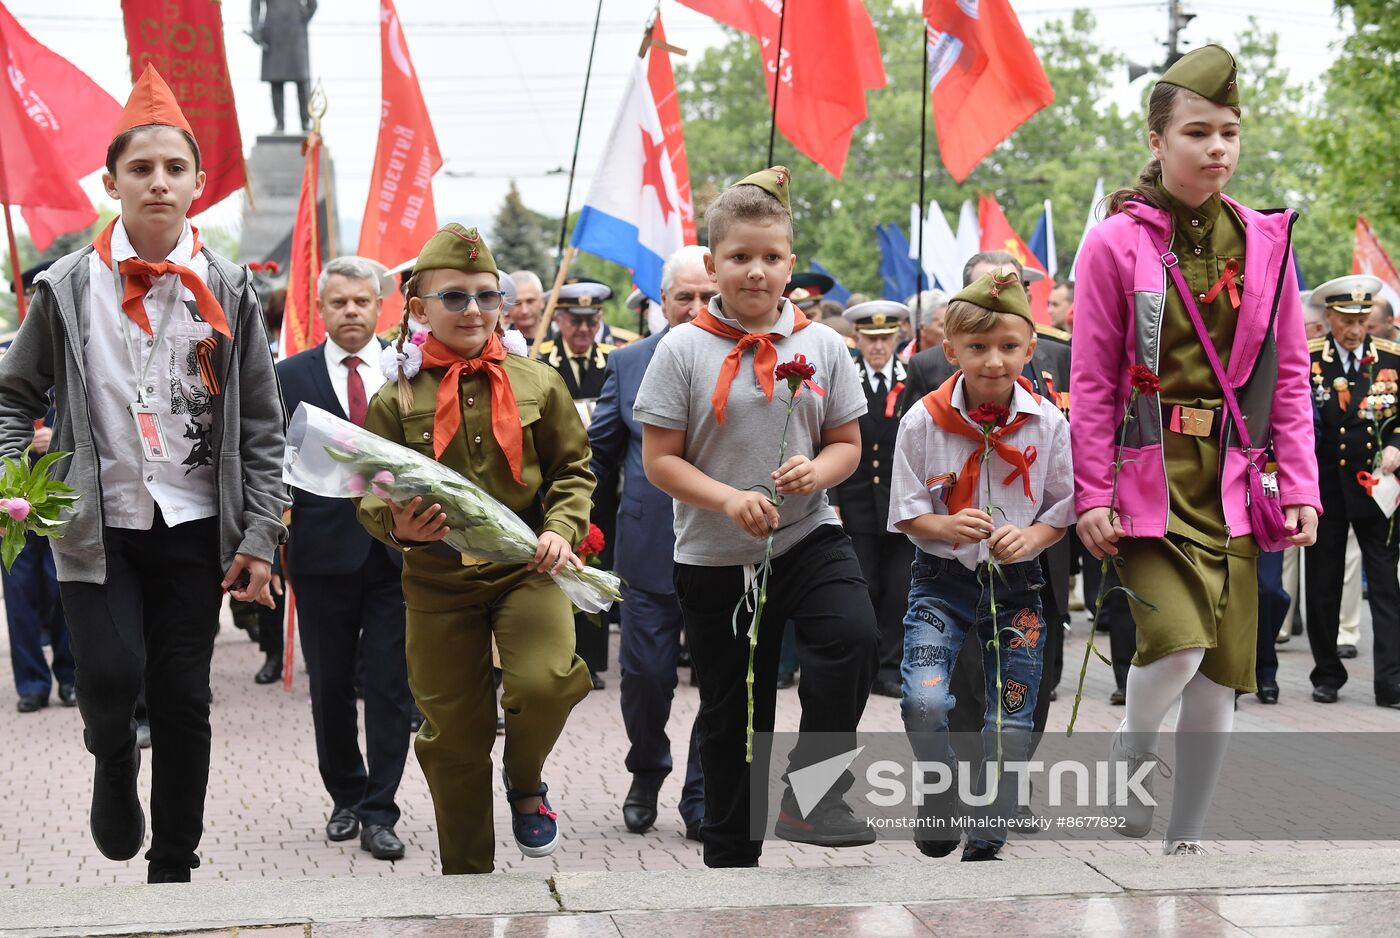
point(169, 404)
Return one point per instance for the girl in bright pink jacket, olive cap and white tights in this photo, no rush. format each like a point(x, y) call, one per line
point(1181, 524)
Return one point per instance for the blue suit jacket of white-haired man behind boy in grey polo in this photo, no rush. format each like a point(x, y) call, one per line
point(646, 538)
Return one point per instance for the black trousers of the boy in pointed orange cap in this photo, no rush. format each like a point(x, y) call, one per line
point(155, 621)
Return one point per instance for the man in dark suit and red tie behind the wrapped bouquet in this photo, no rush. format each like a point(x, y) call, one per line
point(346, 584)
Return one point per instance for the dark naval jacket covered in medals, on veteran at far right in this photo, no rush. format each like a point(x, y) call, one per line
point(1346, 440)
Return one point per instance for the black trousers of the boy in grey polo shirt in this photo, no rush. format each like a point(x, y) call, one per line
point(818, 586)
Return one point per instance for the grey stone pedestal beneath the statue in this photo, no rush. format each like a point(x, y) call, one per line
point(275, 170)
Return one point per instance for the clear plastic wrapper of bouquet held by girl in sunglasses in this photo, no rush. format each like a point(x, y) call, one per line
point(335, 458)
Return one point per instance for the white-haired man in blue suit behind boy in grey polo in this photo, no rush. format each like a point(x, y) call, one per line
point(645, 559)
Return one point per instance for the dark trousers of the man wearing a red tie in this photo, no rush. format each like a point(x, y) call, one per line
point(341, 618)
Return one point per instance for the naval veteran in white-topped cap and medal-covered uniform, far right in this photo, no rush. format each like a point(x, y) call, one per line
point(1359, 443)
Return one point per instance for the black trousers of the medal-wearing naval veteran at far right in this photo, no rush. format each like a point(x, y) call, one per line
point(1325, 572)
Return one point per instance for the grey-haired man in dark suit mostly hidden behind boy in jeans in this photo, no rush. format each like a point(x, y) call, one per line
point(1049, 373)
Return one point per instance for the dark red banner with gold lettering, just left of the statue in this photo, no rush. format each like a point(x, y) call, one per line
point(185, 43)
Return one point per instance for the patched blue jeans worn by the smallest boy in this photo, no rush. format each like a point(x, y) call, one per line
point(947, 603)
